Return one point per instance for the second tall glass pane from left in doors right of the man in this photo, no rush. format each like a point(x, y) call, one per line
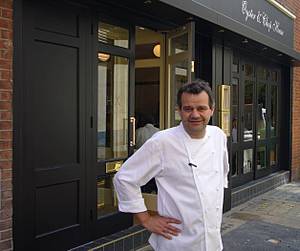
point(248, 111)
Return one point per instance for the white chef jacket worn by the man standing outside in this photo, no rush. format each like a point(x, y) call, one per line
point(190, 190)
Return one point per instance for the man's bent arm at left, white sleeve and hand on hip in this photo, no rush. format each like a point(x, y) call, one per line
point(145, 164)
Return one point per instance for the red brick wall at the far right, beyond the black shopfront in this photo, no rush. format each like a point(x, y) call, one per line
point(294, 7)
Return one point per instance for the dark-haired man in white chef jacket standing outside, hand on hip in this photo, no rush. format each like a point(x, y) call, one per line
point(190, 166)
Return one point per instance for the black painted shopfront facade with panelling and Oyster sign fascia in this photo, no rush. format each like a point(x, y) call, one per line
point(55, 104)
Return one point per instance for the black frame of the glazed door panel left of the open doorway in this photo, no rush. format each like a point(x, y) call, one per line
point(116, 221)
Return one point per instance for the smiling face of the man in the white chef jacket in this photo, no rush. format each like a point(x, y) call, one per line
point(195, 113)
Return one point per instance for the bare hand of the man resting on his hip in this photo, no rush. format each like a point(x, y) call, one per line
point(159, 225)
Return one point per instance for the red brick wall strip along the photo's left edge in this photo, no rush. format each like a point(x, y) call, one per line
point(6, 48)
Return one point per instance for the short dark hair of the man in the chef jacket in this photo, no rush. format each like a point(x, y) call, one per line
point(196, 87)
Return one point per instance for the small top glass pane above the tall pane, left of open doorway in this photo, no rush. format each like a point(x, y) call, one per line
point(113, 35)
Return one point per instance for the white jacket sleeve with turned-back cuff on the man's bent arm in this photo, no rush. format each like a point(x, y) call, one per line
point(142, 166)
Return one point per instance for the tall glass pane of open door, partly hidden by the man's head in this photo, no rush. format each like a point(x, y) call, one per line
point(178, 77)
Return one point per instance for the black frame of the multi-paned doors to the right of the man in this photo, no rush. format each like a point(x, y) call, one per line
point(255, 143)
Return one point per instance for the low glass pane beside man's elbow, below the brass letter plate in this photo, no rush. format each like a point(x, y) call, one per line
point(106, 197)
